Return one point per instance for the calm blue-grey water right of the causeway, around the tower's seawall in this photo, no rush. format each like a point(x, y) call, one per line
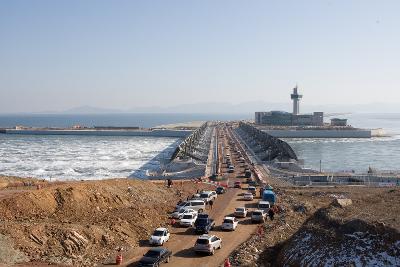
point(381, 153)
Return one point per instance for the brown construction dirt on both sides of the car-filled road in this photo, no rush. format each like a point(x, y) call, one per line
point(84, 223)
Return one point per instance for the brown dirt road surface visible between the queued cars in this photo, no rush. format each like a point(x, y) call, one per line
point(182, 240)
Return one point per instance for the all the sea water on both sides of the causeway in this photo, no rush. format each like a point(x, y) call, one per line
point(99, 157)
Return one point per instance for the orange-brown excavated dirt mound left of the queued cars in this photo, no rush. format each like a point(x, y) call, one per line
point(81, 223)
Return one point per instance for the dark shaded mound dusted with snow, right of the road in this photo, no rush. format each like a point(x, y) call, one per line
point(327, 239)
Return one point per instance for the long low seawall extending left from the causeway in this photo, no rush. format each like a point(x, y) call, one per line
point(90, 132)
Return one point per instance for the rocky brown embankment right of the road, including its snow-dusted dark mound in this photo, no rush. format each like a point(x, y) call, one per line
point(315, 229)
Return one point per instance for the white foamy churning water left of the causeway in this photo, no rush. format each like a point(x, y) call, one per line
point(77, 157)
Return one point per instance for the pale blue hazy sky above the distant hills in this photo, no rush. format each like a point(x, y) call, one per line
point(56, 55)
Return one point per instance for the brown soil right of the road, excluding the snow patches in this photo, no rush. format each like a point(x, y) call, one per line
point(372, 209)
